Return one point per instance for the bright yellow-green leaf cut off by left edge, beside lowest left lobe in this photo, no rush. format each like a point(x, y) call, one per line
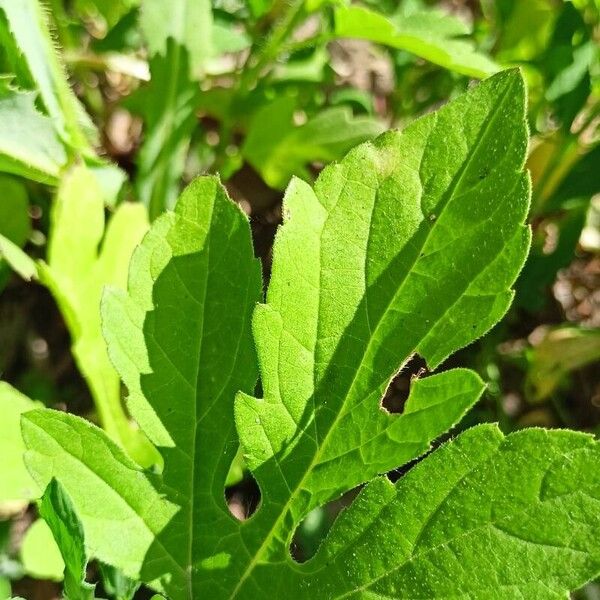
point(15, 482)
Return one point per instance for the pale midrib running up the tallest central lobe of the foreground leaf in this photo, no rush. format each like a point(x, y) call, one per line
point(450, 194)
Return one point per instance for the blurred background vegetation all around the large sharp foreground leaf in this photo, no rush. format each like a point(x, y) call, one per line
point(147, 94)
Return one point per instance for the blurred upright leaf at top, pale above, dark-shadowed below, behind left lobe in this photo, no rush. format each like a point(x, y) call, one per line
point(179, 38)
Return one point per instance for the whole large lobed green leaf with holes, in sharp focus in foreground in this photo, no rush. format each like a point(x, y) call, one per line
point(409, 245)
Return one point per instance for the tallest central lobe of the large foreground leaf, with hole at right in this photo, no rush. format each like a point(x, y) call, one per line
point(360, 283)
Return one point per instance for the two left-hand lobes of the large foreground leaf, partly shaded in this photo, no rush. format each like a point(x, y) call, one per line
point(193, 285)
